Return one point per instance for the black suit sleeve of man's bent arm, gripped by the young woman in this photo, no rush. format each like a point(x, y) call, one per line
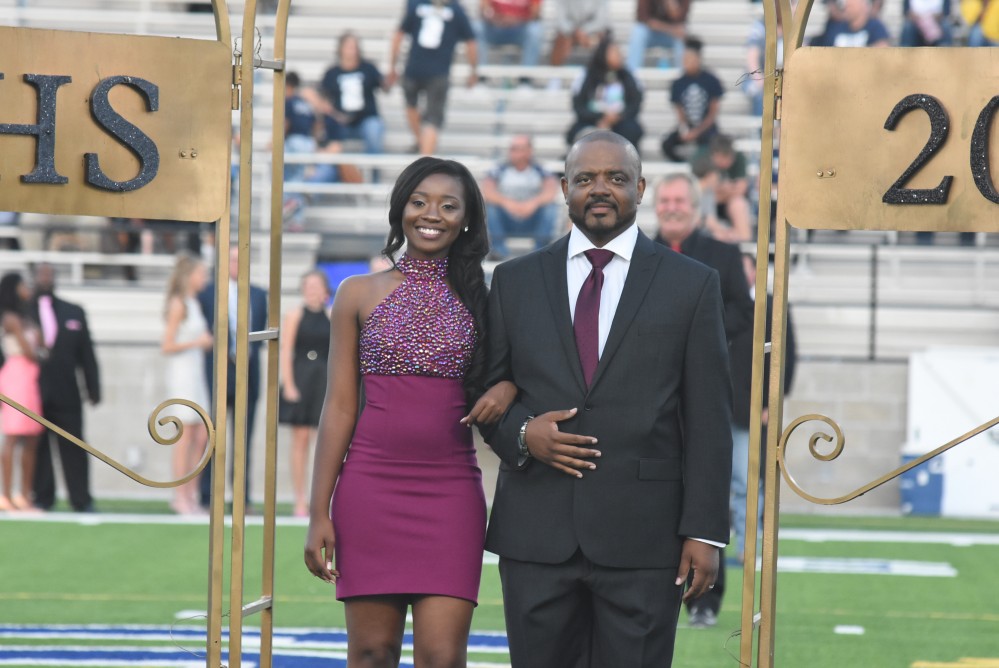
point(502, 436)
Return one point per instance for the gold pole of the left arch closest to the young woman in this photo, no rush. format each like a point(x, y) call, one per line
point(273, 344)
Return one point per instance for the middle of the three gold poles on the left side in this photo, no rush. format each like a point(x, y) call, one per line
point(242, 335)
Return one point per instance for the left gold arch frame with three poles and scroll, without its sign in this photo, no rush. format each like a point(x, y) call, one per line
point(245, 59)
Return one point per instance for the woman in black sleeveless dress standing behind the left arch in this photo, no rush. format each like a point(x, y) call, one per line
point(305, 343)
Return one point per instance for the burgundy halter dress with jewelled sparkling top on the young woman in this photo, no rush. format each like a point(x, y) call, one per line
point(408, 509)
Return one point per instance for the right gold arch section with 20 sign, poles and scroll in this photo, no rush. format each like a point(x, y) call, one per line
point(823, 186)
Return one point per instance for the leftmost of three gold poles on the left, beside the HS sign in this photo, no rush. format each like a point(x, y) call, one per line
point(216, 525)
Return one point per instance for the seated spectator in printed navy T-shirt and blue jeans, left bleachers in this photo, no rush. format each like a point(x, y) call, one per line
point(348, 90)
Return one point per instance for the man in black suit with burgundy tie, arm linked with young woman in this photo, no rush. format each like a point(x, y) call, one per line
point(616, 455)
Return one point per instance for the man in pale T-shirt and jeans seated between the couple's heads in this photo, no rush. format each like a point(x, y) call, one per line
point(519, 194)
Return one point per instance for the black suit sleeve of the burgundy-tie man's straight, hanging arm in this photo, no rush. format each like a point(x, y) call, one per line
point(706, 412)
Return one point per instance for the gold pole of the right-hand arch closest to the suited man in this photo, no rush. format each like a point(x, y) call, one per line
point(770, 82)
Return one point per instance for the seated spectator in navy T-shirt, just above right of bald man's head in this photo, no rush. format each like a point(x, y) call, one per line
point(696, 97)
